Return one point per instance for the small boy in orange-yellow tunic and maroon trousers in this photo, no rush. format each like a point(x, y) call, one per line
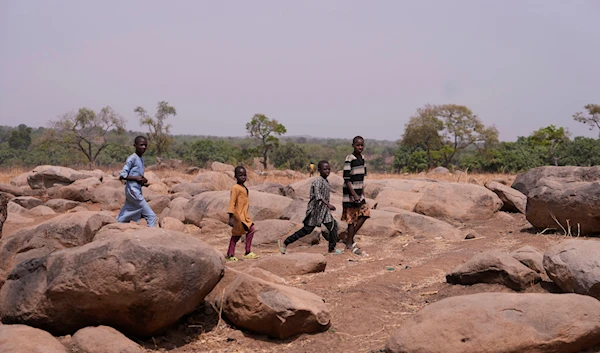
point(239, 217)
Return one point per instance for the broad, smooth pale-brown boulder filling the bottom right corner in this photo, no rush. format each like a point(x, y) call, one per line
point(501, 323)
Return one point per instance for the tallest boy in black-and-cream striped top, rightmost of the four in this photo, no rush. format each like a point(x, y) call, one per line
point(355, 211)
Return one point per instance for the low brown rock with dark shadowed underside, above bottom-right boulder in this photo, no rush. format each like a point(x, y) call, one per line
point(493, 266)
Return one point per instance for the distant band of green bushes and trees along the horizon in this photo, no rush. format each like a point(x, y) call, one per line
point(28, 147)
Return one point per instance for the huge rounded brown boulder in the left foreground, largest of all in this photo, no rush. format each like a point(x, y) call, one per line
point(138, 283)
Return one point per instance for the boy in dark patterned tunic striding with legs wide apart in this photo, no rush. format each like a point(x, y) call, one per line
point(318, 211)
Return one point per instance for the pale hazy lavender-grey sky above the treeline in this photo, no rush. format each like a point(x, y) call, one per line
point(322, 68)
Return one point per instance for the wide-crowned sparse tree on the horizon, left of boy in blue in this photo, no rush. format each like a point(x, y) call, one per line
point(86, 131)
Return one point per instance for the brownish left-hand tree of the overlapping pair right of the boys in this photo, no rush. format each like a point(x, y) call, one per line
point(423, 131)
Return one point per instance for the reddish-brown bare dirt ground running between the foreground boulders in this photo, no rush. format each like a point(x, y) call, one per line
point(369, 296)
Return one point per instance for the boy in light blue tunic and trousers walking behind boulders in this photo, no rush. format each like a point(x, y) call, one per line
point(135, 206)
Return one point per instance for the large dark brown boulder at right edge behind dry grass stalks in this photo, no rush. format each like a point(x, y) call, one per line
point(562, 198)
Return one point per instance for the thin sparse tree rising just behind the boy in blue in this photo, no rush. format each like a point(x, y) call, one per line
point(158, 129)
